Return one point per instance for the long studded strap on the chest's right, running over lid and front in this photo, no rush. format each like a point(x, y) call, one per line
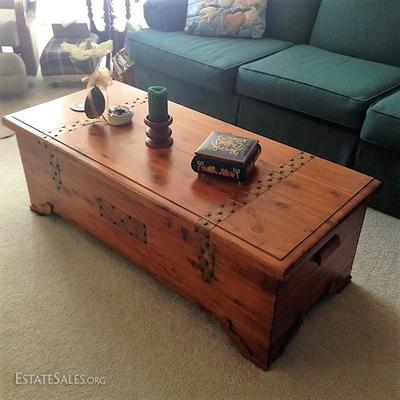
point(214, 216)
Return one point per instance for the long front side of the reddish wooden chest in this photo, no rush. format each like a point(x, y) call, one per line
point(159, 237)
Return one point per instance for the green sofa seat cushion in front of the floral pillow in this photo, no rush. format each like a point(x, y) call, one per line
point(207, 62)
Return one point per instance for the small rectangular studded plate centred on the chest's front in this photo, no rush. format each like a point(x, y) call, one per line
point(125, 222)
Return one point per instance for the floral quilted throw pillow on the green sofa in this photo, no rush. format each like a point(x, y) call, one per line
point(233, 18)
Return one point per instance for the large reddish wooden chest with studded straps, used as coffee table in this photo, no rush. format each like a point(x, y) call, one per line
point(257, 255)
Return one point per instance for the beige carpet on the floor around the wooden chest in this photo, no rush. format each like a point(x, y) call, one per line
point(71, 305)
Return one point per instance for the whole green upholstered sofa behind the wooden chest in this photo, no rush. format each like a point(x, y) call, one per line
point(325, 79)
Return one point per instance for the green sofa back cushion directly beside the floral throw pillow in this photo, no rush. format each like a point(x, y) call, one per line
point(291, 20)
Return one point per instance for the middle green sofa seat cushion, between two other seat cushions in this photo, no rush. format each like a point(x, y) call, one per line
point(319, 83)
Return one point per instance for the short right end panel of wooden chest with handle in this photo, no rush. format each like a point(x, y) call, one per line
point(324, 271)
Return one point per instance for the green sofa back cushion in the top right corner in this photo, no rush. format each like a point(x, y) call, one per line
point(368, 29)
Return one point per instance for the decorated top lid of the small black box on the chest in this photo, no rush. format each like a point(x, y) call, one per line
point(227, 147)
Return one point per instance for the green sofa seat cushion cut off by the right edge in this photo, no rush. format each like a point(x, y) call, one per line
point(382, 124)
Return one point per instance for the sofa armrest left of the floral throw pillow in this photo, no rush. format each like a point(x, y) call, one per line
point(166, 15)
